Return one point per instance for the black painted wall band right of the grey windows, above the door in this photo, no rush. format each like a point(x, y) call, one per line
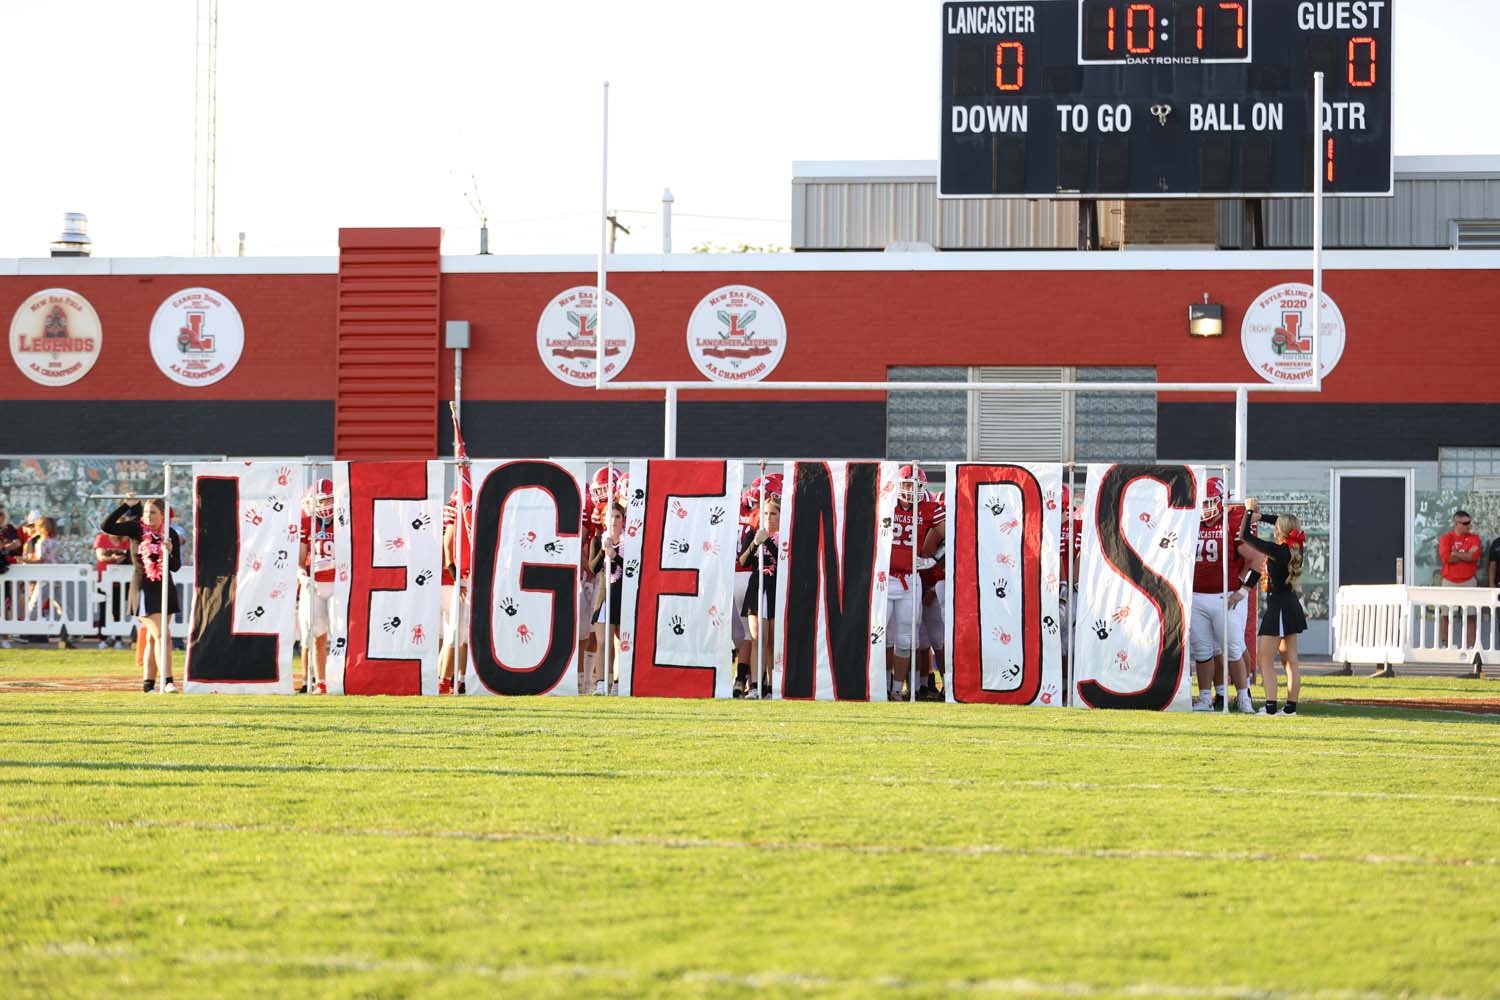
point(1327, 433)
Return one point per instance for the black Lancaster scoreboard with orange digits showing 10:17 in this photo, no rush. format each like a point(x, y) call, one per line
point(1177, 98)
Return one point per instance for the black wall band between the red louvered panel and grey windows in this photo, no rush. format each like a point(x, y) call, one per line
point(704, 430)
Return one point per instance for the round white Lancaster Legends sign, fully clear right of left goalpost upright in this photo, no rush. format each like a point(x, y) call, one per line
point(737, 335)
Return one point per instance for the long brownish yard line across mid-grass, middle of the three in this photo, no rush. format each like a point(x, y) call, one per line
point(707, 843)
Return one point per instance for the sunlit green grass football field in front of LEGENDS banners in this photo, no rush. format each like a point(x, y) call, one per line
point(560, 848)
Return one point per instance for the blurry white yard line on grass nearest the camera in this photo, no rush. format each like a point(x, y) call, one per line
point(754, 981)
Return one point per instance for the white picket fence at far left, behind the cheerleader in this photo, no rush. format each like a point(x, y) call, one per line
point(44, 600)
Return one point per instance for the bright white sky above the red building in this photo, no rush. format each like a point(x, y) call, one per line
point(371, 115)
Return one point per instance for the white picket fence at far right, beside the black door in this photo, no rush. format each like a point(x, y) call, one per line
point(1394, 624)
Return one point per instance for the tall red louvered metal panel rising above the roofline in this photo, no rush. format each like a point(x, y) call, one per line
point(388, 344)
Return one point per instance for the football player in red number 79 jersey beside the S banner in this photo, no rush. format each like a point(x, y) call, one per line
point(1211, 602)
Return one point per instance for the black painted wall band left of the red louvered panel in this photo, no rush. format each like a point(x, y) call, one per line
point(140, 427)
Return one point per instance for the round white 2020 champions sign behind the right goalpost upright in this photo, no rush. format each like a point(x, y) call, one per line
point(1277, 335)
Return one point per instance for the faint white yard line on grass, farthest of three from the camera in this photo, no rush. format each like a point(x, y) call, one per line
point(811, 777)
